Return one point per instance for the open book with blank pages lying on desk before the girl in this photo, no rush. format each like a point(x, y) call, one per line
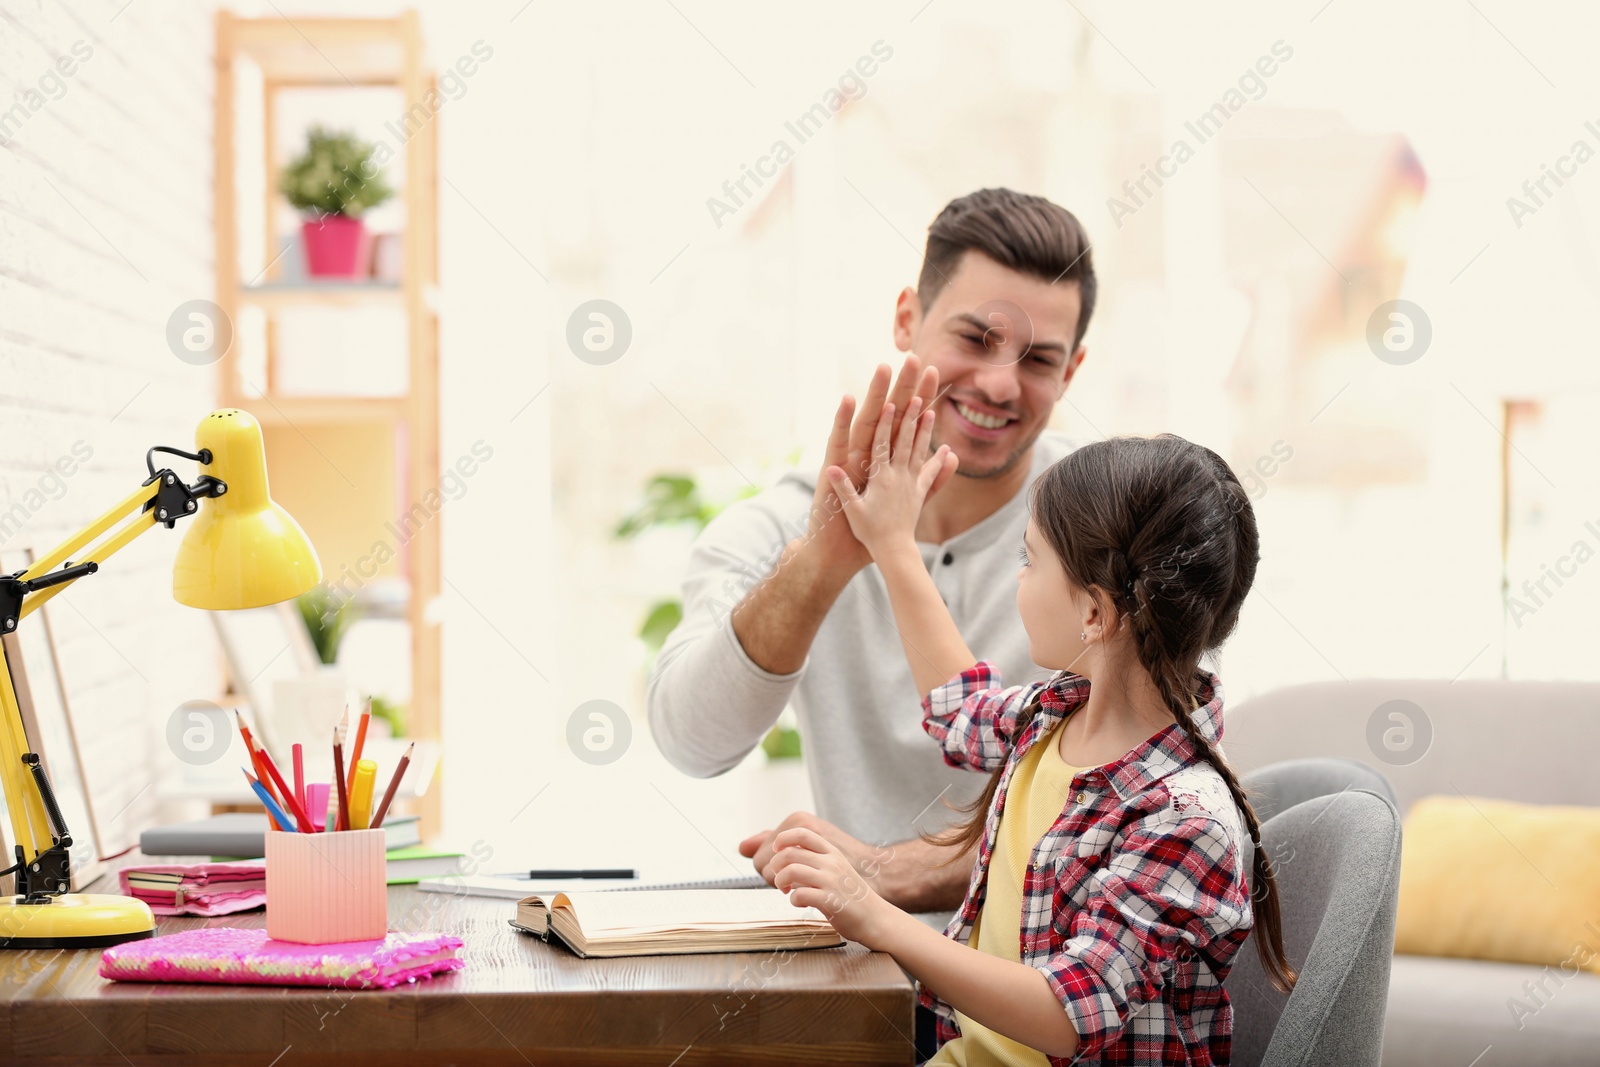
point(660, 922)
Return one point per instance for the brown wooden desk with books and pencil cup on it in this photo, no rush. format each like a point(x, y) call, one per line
point(518, 1002)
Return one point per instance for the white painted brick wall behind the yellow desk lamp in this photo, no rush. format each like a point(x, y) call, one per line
point(105, 230)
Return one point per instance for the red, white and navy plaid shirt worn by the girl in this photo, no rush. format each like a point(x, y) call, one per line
point(1135, 900)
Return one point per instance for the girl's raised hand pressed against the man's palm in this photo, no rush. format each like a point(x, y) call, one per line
point(884, 516)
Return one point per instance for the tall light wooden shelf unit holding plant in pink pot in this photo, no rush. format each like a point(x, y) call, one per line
point(334, 55)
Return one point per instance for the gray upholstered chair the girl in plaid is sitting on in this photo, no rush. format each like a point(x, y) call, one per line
point(1338, 873)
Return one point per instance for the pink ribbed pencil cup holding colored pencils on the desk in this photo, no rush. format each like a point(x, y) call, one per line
point(327, 887)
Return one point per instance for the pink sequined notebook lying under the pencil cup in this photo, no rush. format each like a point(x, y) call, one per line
point(233, 956)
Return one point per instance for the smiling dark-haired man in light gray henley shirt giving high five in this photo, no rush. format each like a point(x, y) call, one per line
point(783, 605)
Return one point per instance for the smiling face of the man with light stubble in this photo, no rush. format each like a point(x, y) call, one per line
point(1004, 348)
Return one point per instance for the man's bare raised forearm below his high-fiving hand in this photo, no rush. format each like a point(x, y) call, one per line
point(778, 620)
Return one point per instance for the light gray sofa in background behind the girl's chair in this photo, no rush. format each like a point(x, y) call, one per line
point(1529, 741)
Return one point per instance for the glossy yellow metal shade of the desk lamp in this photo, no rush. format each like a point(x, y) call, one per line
point(241, 551)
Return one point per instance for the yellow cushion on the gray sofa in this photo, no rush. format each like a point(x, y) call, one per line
point(1500, 881)
